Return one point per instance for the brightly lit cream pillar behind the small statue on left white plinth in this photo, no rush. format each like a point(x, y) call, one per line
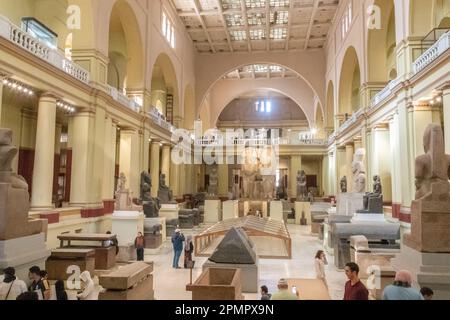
point(129, 159)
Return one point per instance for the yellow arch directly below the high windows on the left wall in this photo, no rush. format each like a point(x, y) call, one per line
point(165, 89)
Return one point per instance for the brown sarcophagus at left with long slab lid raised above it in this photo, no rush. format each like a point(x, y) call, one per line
point(105, 257)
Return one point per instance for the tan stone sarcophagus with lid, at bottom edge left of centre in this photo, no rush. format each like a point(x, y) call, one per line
point(131, 282)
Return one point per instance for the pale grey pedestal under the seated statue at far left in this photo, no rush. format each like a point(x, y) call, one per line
point(23, 253)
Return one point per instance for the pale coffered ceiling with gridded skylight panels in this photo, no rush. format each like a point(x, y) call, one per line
point(256, 25)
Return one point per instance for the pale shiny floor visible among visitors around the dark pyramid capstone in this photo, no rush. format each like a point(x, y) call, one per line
point(170, 284)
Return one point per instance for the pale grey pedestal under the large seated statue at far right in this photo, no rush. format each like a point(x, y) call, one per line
point(428, 269)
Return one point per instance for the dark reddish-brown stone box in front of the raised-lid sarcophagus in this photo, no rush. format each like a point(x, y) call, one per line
point(61, 259)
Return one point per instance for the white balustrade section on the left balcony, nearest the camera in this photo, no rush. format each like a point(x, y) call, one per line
point(24, 40)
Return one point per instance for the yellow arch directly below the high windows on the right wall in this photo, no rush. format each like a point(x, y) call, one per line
point(349, 83)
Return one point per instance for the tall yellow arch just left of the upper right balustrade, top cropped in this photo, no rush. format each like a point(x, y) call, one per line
point(382, 43)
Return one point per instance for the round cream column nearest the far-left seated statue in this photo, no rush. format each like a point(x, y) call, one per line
point(41, 198)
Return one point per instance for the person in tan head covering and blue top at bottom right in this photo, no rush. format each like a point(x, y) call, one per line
point(401, 289)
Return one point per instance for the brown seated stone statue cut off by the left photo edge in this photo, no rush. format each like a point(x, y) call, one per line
point(15, 199)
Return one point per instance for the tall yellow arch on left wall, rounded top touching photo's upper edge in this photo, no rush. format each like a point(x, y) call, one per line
point(125, 50)
